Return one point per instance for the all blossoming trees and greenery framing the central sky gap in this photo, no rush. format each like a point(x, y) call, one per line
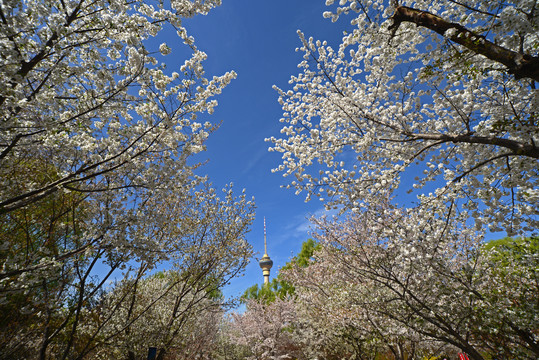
point(112, 243)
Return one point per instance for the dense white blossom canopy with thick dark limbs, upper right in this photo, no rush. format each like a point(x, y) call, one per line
point(440, 91)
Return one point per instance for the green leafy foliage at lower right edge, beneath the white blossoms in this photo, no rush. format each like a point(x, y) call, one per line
point(513, 262)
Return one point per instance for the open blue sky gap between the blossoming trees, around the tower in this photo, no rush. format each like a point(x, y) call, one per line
point(257, 39)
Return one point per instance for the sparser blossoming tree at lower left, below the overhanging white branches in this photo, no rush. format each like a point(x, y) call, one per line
point(202, 240)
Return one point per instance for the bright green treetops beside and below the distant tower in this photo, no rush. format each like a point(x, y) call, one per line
point(267, 293)
